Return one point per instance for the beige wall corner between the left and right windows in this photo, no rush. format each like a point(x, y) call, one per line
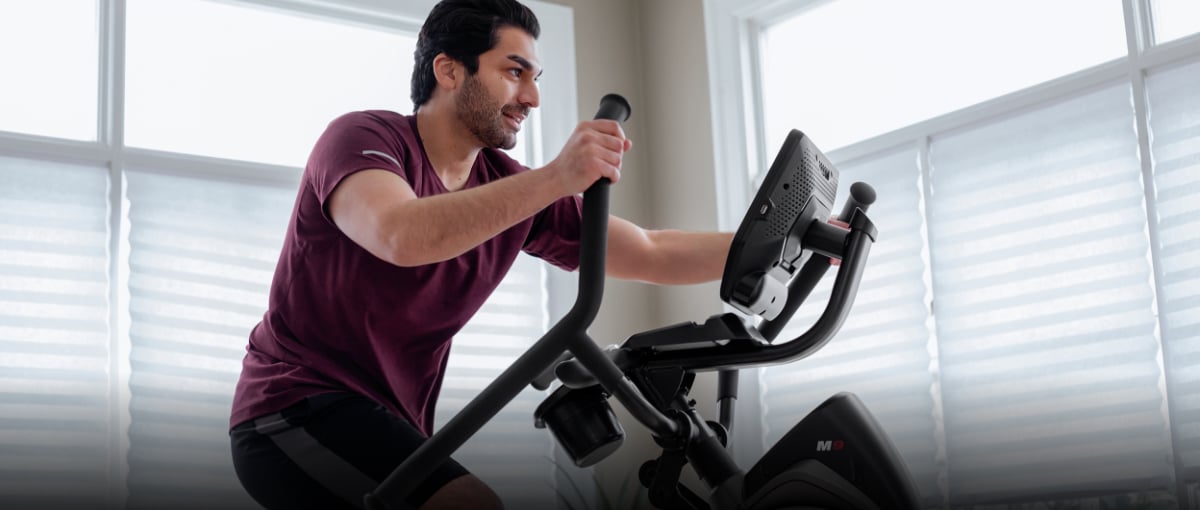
point(653, 53)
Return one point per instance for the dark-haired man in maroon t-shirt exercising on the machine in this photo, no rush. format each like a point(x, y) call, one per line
point(403, 227)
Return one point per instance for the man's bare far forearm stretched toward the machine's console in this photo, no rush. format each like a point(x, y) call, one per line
point(667, 257)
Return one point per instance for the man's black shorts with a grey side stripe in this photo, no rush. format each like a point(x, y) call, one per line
point(327, 453)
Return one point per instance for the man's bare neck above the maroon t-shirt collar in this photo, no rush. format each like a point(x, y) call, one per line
point(451, 148)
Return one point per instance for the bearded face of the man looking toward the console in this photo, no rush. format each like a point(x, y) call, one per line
point(495, 101)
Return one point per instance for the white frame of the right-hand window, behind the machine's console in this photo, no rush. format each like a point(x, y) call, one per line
point(734, 31)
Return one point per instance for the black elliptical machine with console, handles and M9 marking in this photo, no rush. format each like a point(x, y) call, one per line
point(838, 458)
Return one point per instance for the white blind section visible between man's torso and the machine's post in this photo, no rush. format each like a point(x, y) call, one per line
point(508, 454)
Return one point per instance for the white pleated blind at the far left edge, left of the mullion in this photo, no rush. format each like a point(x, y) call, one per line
point(56, 422)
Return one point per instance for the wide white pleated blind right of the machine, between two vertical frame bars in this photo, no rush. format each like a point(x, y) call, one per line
point(1045, 307)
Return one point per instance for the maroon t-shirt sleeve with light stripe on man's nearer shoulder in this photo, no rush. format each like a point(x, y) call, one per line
point(351, 143)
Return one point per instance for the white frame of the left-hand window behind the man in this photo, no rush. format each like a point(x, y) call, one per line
point(551, 129)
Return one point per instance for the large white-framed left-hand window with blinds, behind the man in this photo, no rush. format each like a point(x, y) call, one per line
point(137, 244)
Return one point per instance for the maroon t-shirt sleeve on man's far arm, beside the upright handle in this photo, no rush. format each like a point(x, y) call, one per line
point(556, 233)
